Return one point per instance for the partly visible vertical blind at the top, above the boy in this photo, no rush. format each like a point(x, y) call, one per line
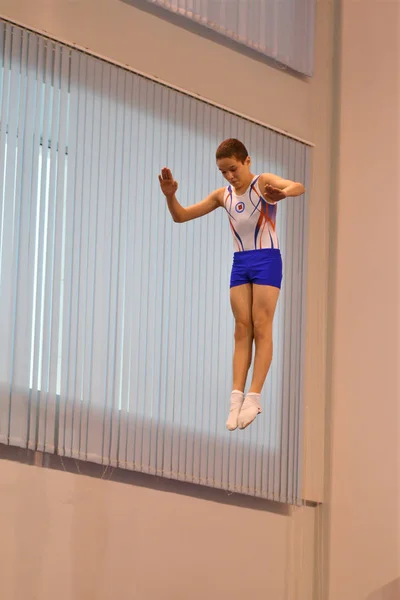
point(280, 29)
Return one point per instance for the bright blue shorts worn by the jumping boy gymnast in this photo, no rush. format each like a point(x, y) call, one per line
point(263, 267)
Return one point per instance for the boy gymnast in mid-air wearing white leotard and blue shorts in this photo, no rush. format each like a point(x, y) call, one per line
point(250, 202)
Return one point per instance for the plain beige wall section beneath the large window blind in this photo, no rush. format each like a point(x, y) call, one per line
point(73, 537)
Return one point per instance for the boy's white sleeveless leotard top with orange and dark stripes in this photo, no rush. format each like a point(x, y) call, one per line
point(252, 218)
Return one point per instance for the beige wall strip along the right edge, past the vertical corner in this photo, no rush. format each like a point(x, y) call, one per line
point(365, 492)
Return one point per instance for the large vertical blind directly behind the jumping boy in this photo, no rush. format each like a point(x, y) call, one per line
point(115, 326)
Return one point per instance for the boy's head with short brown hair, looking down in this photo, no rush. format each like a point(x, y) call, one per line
point(233, 161)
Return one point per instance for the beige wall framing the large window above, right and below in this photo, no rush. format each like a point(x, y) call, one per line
point(79, 517)
